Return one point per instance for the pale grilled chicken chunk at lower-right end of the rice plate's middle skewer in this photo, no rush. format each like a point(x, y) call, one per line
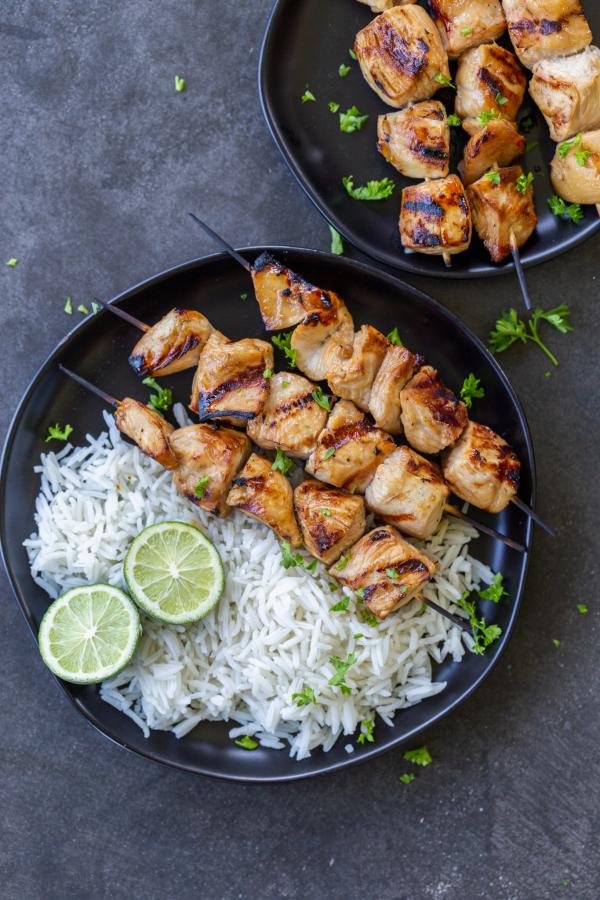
point(409, 492)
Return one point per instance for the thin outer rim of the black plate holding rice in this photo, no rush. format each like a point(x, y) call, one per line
point(325, 767)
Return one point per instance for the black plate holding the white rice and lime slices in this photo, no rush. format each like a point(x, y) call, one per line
point(98, 350)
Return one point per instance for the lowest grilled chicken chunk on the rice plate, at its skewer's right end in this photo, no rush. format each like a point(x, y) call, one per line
point(387, 569)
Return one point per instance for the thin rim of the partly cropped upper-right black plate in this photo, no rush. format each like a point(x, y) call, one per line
point(399, 263)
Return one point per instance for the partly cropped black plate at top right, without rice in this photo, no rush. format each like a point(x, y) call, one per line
point(303, 46)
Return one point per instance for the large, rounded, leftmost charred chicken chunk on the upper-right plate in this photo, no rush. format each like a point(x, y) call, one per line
point(400, 53)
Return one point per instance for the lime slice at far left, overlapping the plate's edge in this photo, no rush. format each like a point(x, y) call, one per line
point(89, 634)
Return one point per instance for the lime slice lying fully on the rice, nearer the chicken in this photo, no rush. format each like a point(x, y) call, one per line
point(174, 573)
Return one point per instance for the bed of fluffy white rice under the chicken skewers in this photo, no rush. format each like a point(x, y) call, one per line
point(272, 634)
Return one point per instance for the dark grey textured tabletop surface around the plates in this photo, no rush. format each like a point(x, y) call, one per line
point(100, 161)
